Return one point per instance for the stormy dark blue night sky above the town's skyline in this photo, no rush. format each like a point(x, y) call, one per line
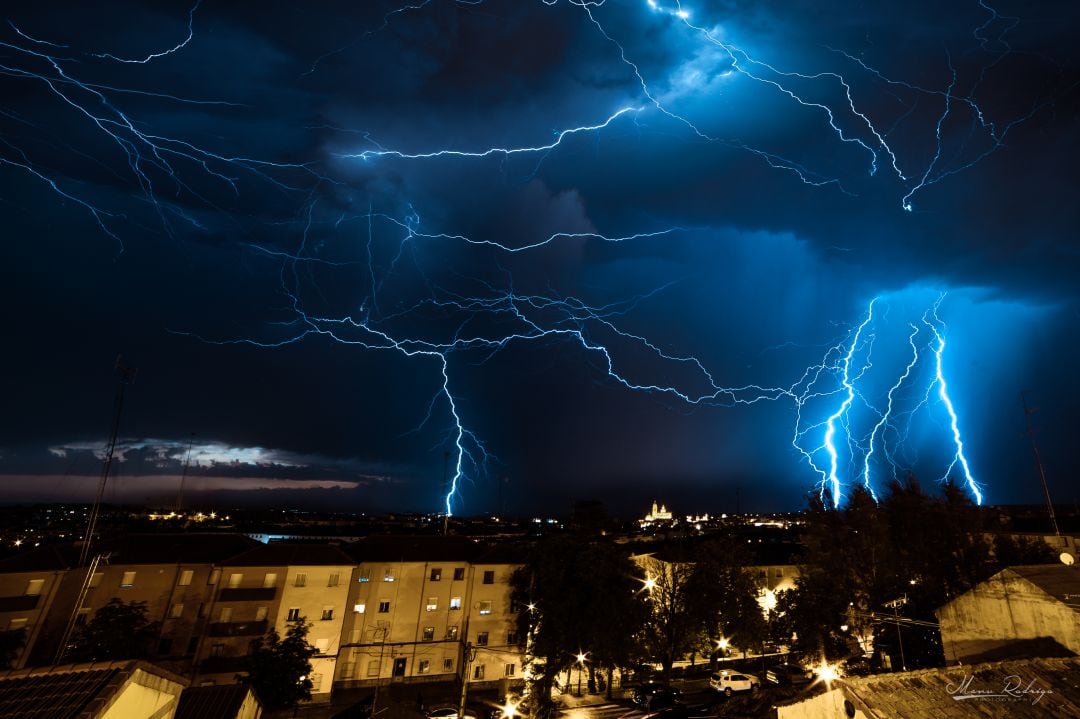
point(708, 253)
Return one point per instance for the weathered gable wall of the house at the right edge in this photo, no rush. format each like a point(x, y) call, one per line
point(1002, 612)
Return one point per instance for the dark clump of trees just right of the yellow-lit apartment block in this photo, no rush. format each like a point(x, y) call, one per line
point(585, 603)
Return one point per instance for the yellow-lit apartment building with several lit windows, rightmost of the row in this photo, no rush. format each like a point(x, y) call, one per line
point(428, 609)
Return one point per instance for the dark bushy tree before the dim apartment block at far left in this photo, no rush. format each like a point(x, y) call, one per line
point(118, 631)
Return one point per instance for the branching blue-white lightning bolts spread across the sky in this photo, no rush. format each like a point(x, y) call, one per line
point(157, 165)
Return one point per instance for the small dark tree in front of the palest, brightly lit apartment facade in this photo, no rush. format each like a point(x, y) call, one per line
point(280, 670)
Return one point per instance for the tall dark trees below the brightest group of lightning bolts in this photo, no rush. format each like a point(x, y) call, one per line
point(909, 550)
